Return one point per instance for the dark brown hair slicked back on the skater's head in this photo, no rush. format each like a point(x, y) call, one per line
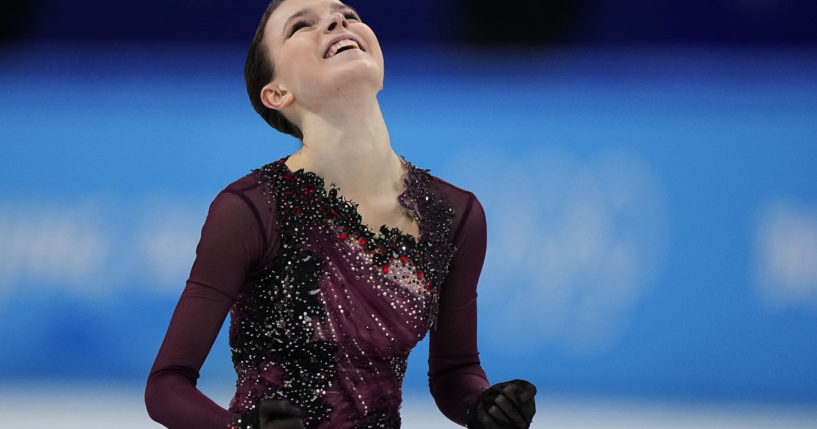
point(259, 71)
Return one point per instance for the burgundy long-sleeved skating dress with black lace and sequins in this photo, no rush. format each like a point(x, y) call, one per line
point(324, 311)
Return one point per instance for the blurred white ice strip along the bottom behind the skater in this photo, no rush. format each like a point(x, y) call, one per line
point(123, 408)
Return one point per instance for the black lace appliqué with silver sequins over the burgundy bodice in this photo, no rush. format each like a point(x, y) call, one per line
point(275, 323)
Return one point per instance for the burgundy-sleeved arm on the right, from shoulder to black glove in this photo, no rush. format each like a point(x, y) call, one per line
point(455, 376)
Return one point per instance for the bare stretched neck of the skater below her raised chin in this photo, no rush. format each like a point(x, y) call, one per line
point(349, 145)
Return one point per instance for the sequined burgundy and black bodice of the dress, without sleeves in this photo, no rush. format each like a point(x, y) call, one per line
point(330, 323)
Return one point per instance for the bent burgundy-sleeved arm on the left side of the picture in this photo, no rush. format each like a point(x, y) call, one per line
point(232, 242)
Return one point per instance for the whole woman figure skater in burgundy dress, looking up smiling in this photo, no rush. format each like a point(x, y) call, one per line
point(333, 262)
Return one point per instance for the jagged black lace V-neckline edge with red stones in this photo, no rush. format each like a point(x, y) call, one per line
point(320, 183)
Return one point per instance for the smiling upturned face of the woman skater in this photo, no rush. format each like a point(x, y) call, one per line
point(321, 47)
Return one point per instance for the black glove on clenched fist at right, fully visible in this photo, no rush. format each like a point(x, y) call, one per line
point(507, 405)
